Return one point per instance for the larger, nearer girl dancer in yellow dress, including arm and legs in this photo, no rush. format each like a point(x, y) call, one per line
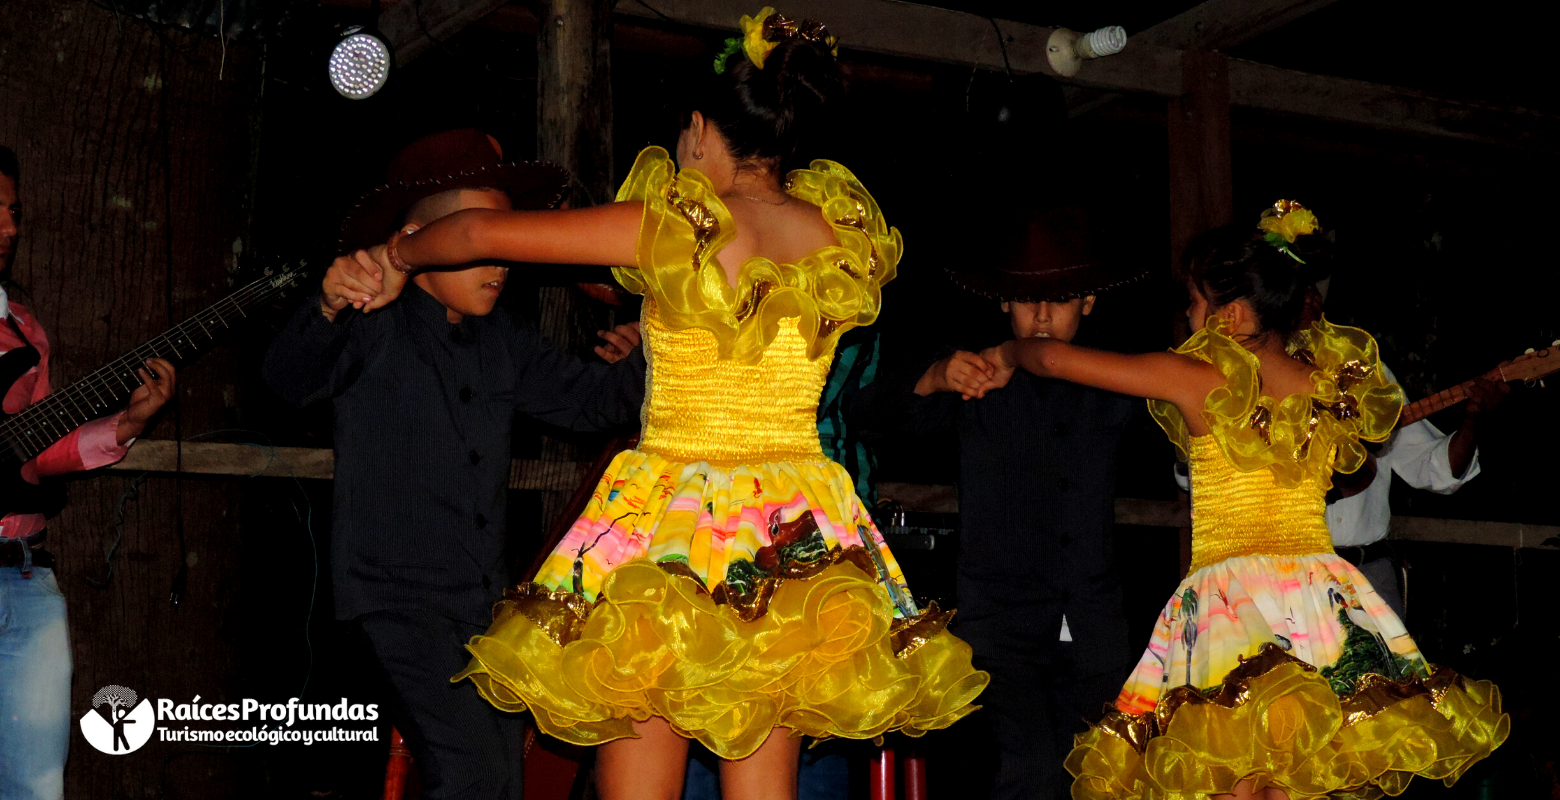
point(725, 584)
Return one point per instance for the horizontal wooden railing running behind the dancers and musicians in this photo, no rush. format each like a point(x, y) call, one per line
point(317, 464)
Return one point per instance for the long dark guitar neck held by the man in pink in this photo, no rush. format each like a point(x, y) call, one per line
point(108, 389)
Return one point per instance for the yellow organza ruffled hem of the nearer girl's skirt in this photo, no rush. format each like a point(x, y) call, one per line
point(826, 659)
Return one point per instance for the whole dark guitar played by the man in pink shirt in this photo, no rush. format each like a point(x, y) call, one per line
point(107, 391)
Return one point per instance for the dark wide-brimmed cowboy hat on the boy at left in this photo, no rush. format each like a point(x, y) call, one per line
point(466, 158)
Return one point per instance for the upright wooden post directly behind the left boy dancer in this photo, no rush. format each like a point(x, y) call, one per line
point(575, 132)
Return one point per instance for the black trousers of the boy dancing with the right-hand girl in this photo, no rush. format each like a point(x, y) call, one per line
point(1041, 690)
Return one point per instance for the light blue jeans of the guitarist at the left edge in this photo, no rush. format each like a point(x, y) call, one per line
point(35, 687)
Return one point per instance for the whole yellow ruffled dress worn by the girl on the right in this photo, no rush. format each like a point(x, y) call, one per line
point(1277, 660)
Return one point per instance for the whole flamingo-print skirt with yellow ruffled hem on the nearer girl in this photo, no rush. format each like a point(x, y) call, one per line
point(728, 601)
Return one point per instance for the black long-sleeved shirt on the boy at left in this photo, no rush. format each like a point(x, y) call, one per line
point(424, 414)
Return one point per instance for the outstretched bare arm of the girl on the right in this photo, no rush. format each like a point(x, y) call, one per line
point(1168, 377)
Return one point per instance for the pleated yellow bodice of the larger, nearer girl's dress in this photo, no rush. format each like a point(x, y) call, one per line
point(701, 408)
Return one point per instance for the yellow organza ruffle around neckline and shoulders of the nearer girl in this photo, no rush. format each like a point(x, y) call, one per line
point(686, 225)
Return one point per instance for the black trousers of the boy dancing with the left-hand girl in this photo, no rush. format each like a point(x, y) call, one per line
point(464, 749)
